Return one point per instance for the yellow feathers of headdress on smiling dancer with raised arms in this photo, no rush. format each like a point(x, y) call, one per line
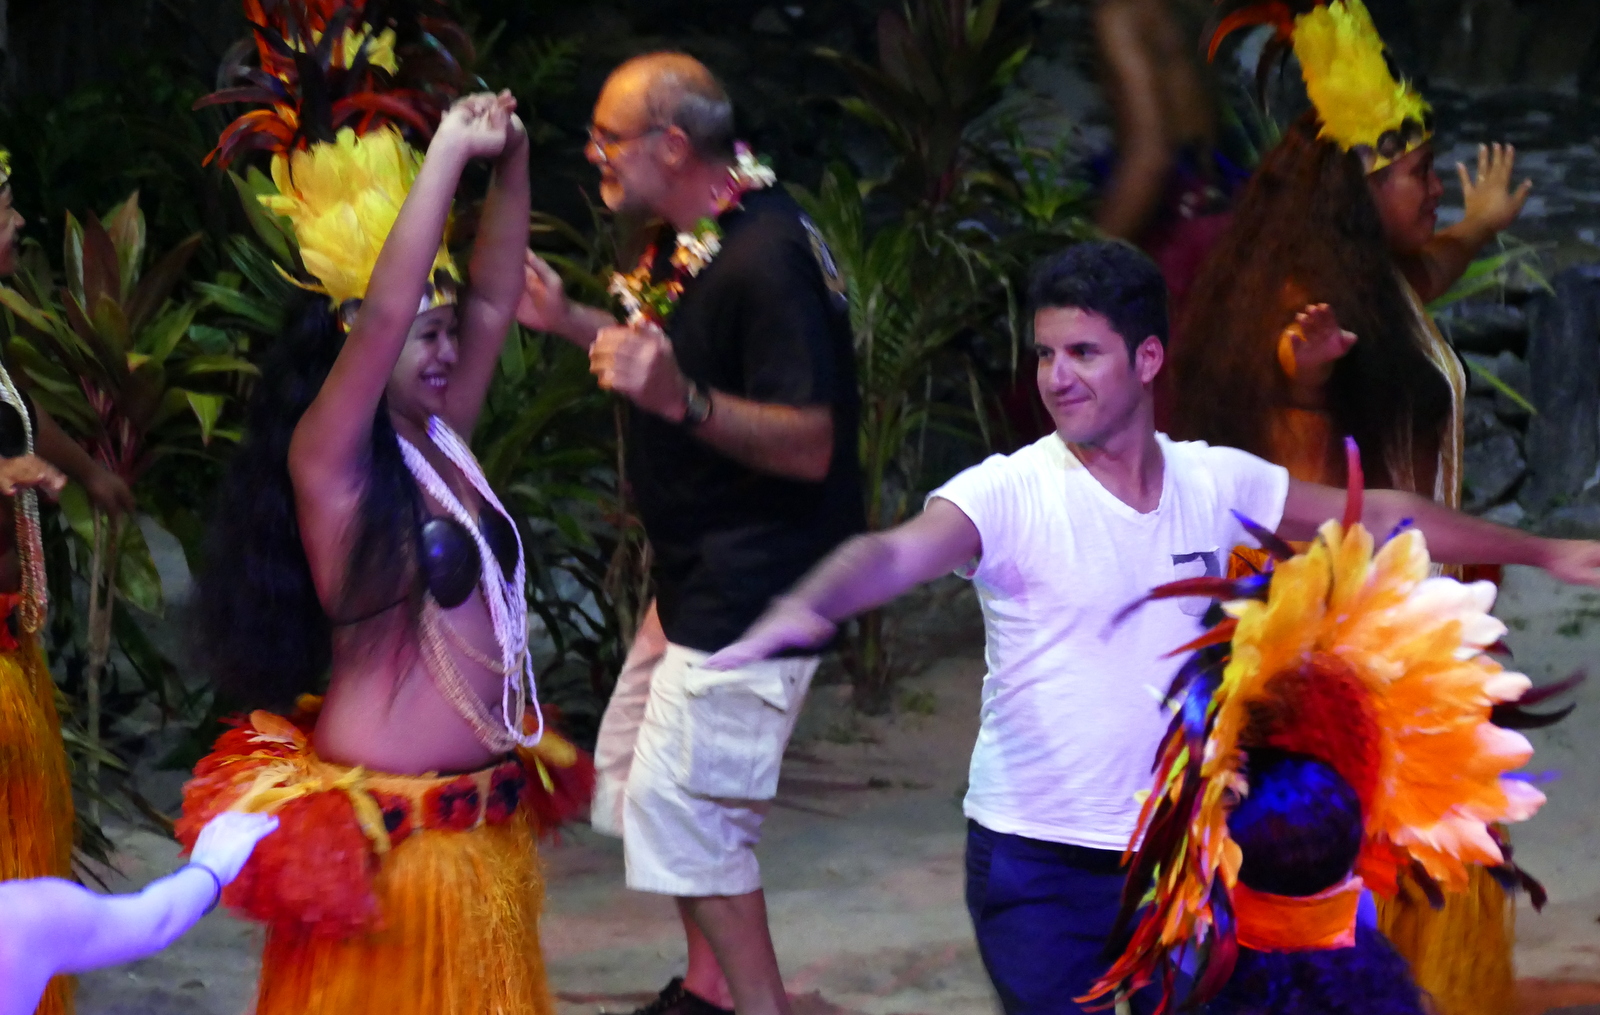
point(343, 199)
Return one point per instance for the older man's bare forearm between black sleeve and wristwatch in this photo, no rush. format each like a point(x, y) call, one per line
point(782, 439)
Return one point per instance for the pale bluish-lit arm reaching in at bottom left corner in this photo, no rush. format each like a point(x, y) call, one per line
point(58, 928)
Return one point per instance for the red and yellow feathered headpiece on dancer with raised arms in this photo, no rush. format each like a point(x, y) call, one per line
point(338, 87)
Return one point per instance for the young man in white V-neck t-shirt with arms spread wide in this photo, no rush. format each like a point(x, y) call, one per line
point(1058, 539)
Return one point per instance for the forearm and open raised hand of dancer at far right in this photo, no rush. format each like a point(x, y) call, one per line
point(1490, 207)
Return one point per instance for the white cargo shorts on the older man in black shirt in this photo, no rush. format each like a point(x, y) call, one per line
point(687, 763)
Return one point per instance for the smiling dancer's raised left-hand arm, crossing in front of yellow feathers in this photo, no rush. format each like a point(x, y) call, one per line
point(334, 436)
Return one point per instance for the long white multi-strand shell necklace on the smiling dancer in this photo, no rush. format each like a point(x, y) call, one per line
point(506, 603)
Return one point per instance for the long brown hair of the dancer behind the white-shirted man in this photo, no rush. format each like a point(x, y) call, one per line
point(1306, 231)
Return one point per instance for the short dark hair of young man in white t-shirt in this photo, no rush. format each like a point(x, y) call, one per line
point(1110, 278)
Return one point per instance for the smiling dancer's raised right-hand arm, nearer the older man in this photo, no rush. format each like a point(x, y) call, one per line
point(497, 276)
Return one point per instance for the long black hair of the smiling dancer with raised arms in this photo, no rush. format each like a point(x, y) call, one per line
point(262, 632)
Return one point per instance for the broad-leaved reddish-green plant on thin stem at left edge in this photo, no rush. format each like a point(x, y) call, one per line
point(116, 359)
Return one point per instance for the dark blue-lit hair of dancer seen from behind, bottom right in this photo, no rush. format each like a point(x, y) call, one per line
point(1300, 830)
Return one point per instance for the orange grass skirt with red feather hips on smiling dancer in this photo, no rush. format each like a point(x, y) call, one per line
point(383, 896)
